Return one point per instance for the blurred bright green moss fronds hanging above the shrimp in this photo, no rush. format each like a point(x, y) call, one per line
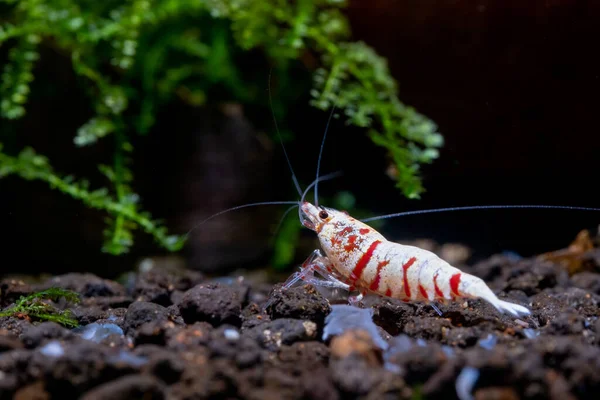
point(131, 57)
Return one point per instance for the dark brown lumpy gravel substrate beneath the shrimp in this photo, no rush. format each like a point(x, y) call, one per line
point(178, 335)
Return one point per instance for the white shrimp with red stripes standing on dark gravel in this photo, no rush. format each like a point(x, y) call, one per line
point(360, 258)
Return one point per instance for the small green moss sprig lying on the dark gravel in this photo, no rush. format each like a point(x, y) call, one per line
point(38, 306)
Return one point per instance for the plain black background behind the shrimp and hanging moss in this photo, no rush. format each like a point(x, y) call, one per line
point(512, 85)
